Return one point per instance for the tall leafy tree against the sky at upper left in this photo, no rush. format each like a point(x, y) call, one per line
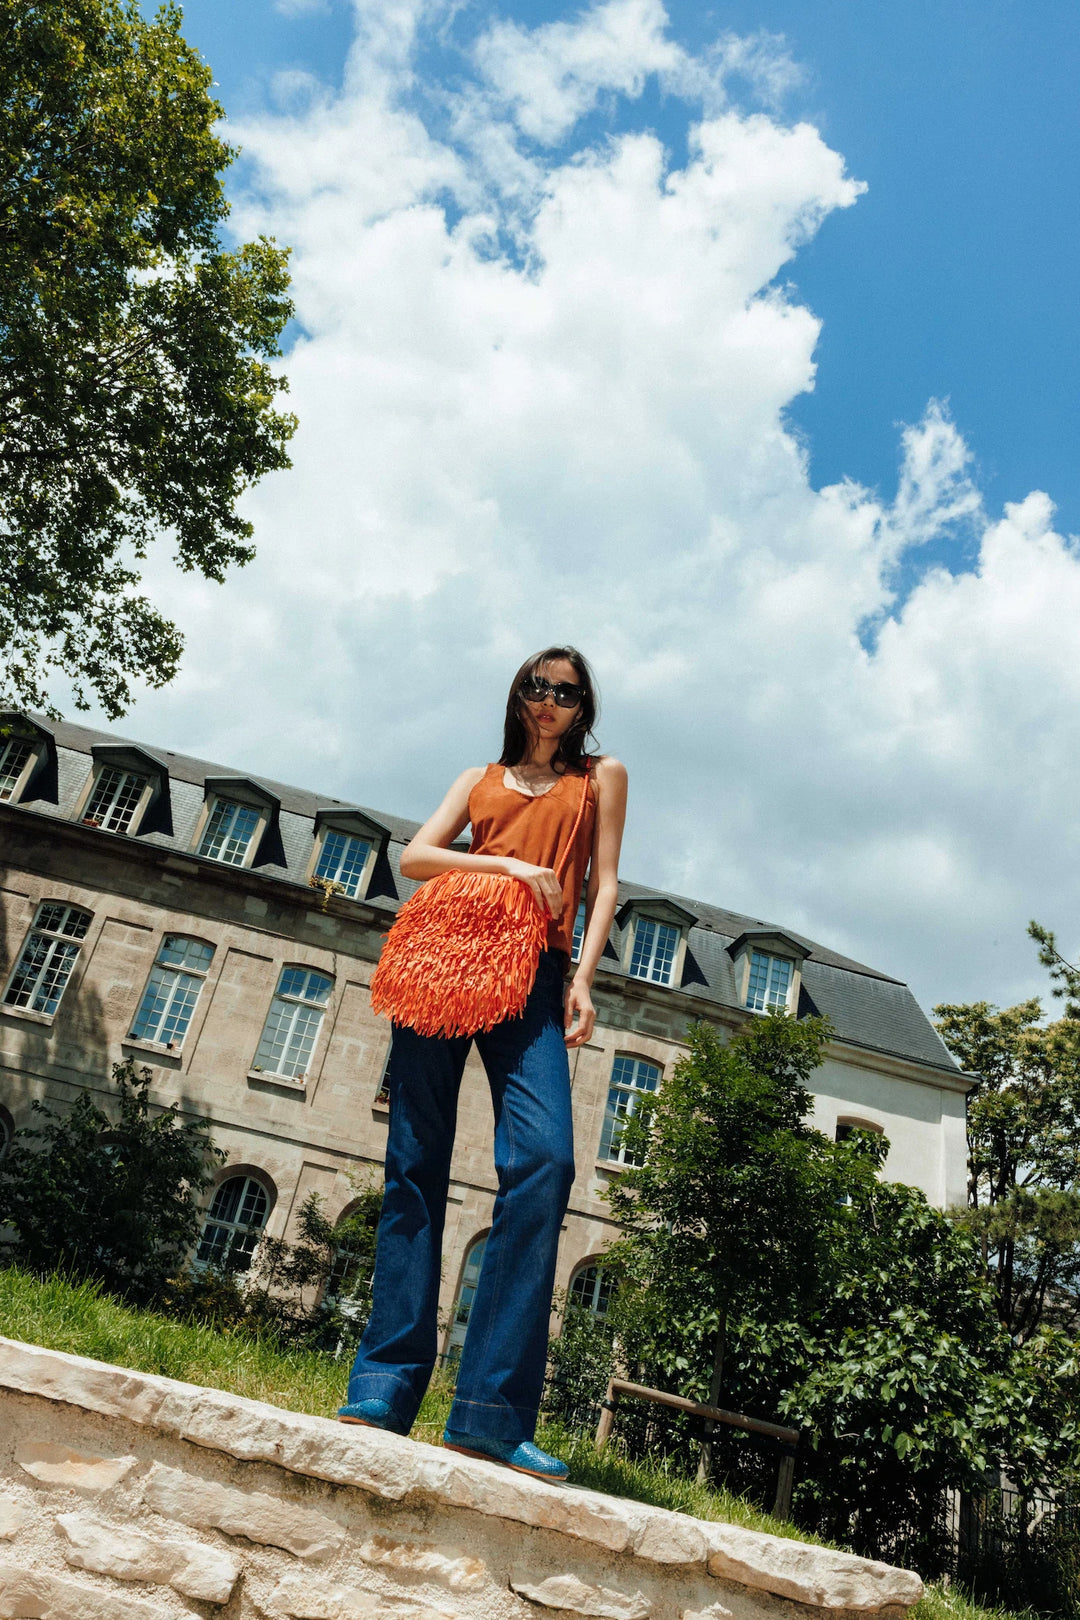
point(135, 391)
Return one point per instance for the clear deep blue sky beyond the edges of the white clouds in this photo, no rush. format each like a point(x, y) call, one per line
point(955, 278)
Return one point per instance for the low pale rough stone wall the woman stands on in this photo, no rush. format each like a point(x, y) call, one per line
point(134, 1498)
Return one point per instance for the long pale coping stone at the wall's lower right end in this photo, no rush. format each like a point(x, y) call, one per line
point(810, 1575)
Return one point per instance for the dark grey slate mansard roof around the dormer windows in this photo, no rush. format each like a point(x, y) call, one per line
point(867, 1008)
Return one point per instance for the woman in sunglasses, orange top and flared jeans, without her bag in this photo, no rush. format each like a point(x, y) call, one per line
point(522, 812)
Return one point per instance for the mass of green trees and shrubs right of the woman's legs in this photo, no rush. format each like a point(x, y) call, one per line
point(856, 1311)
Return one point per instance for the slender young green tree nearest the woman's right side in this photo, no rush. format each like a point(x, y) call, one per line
point(731, 1187)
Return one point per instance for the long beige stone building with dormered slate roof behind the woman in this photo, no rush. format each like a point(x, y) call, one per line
point(223, 929)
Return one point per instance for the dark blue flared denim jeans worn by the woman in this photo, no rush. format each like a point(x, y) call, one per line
point(501, 1375)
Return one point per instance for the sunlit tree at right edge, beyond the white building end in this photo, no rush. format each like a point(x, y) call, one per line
point(1024, 1151)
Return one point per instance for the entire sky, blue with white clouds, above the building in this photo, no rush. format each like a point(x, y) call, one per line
point(738, 346)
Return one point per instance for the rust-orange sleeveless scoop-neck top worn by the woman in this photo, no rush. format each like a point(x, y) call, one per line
point(537, 829)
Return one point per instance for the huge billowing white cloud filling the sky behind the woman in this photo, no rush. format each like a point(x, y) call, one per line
point(545, 398)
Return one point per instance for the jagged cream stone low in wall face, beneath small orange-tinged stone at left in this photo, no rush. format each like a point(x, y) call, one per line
point(205, 1574)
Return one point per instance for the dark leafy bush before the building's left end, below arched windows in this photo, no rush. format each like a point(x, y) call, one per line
point(111, 1196)
